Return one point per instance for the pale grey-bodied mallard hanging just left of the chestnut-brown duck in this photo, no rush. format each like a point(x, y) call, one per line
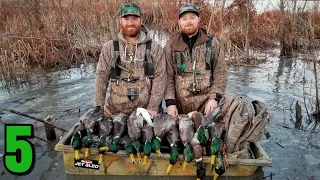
point(186, 131)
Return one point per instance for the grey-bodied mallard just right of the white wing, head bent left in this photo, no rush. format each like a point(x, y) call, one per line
point(162, 125)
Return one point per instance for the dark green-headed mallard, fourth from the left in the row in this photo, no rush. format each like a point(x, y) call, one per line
point(119, 129)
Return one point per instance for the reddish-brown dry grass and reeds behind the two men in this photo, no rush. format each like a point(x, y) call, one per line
point(59, 33)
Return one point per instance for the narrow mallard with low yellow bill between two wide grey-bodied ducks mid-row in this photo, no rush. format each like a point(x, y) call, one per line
point(172, 138)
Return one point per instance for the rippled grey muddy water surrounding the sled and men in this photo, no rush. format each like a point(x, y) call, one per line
point(279, 83)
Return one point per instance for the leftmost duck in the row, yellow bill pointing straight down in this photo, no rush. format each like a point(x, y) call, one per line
point(79, 131)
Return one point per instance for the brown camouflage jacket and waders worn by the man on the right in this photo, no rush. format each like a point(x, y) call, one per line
point(212, 84)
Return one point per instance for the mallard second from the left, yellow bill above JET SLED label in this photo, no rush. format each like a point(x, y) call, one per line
point(90, 121)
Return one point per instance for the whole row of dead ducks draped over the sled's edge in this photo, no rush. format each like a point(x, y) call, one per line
point(139, 134)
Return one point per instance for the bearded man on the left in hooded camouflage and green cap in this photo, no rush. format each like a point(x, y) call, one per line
point(135, 66)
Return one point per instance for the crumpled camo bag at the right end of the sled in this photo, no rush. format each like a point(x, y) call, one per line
point(245, 122)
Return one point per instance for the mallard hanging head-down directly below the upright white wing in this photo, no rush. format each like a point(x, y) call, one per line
point(146, 136)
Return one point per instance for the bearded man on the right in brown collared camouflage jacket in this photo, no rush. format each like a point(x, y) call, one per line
point(197, 72)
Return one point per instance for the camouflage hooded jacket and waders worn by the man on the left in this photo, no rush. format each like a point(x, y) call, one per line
point(150, 94)
